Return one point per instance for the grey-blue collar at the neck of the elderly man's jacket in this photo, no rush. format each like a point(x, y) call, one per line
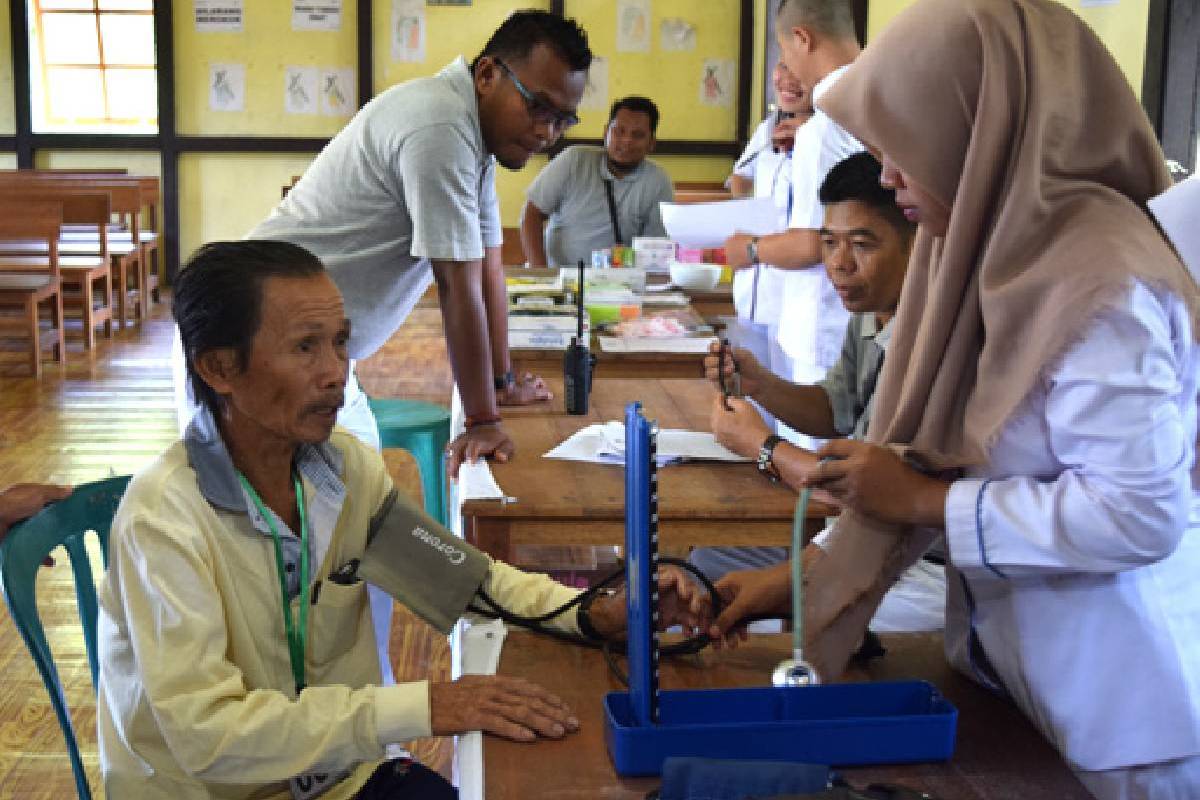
point(218, 480)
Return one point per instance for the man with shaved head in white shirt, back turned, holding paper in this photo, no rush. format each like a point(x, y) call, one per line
point(818, 43)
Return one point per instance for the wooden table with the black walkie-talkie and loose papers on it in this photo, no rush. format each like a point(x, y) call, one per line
point(575, 503)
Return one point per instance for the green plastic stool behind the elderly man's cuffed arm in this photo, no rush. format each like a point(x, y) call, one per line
point(423, 430)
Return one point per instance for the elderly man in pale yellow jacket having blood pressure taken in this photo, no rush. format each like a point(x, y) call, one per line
point(237, 651)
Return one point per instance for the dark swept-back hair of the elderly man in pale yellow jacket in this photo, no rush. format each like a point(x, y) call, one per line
point(219, 299)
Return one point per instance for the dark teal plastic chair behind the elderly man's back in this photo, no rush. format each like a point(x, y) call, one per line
point(89, 508)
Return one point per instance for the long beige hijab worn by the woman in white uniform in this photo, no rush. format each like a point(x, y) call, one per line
point(1017, 118)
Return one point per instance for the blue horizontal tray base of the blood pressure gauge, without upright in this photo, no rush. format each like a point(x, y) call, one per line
point(839, 725)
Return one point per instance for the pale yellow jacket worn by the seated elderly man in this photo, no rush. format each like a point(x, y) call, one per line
point(196, 695)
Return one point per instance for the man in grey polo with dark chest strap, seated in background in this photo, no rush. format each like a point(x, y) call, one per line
point(598, 197)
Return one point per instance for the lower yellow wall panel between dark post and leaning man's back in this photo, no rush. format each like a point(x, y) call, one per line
point(223, 196)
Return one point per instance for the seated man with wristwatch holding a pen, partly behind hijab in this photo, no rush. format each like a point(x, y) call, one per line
point(866, 243)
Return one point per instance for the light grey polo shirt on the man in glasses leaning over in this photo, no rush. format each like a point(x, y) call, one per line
point(407, 181)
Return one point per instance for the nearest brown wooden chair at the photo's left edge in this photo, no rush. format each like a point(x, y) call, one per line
point(28, 288)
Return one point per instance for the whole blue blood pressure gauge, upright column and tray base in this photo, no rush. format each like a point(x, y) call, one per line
point(837, 725)
